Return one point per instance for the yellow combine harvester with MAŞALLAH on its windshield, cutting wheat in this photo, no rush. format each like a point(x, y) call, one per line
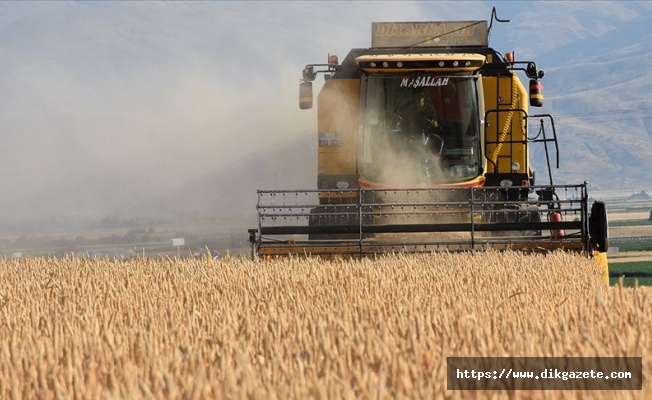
point(424, 145)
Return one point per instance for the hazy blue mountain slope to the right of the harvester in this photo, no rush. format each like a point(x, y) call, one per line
point(600, 96)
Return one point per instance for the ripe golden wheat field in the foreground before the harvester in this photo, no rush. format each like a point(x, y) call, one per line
point(303, 328)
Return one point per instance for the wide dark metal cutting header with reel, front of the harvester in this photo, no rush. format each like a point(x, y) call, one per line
point(363, 221)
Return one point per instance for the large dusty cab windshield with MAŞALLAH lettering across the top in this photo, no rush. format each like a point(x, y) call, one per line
point(420, 129)
